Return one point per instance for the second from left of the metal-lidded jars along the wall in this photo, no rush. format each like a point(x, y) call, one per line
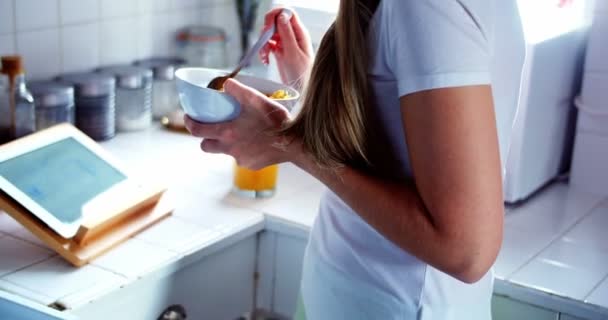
point(94, 103)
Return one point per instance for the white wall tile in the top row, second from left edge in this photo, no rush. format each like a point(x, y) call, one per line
point(35, 14)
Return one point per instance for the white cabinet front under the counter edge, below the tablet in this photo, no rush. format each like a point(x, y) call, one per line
point(217, 286)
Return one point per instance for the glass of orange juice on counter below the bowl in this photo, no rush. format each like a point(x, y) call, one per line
point(256, 183)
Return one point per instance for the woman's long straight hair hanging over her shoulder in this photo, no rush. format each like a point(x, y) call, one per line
point(332, 121)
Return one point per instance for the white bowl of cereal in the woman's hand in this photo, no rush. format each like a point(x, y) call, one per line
point(209, 106)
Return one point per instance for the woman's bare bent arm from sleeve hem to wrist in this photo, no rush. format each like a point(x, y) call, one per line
point(452, 216)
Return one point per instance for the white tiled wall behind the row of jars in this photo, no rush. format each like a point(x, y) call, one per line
point(128, 30)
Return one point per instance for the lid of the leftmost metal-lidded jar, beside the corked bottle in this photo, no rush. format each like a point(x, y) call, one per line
point(49, 94)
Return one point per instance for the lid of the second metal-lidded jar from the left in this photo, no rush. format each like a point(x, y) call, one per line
point(90, 85)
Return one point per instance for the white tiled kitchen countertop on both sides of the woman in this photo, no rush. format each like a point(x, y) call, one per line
point(554, 253)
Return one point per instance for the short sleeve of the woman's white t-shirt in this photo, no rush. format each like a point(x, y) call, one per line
point(437, 44)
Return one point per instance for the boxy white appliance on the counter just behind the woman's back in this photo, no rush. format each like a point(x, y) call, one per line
point(541, 143)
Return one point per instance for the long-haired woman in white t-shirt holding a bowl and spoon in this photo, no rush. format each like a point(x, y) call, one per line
point(399, 120)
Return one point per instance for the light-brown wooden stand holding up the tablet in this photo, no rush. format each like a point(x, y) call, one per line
point(95, 236)
